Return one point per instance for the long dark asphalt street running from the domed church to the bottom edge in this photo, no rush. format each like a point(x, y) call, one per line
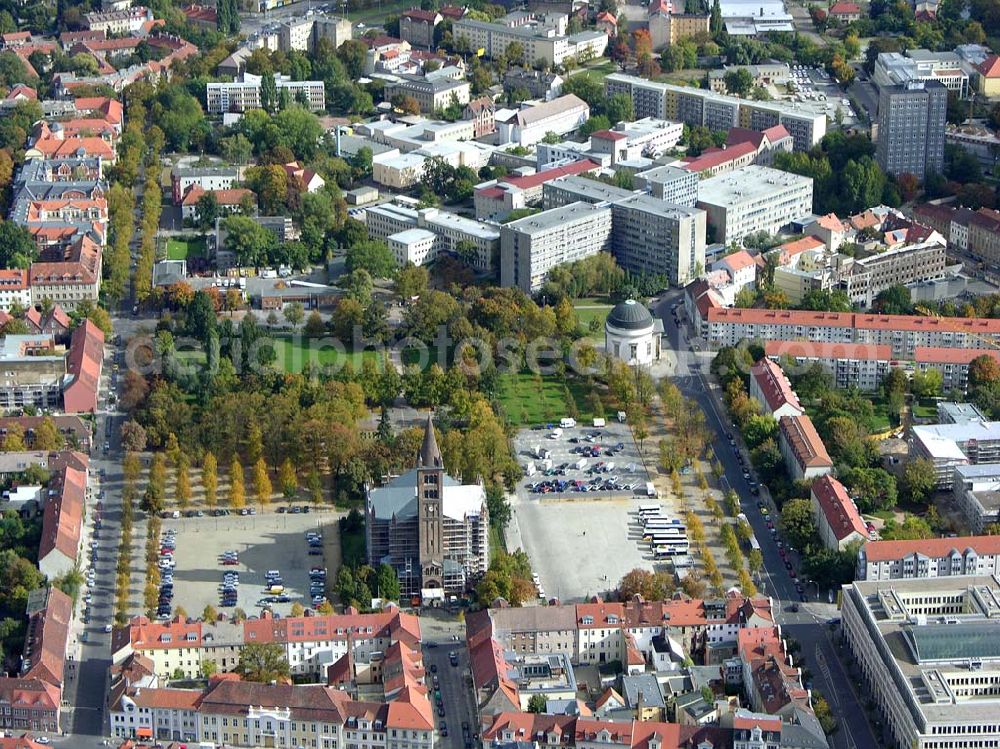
point(807, 625)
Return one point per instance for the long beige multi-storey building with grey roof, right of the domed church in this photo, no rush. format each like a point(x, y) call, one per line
point(869, 276)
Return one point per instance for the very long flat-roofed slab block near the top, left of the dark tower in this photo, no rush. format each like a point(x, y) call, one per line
point(694, 106)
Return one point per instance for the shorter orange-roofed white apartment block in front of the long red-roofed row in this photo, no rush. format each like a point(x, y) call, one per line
point(850, 365)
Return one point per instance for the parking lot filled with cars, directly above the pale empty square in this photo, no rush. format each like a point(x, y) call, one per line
point(576, 462)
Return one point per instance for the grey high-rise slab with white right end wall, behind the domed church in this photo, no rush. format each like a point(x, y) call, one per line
point(651, 236)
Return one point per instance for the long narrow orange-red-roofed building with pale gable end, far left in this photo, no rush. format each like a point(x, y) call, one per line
point(62, 523)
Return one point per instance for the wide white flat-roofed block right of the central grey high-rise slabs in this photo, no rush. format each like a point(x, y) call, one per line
point(753, 199)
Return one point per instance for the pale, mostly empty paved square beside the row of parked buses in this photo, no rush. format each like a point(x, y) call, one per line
point(582, 548)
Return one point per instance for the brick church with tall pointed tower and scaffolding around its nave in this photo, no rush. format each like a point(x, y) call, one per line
point(431, 529)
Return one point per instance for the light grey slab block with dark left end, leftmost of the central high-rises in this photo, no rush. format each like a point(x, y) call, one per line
point(530, 247)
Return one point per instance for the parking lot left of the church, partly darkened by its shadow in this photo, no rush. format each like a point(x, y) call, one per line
point(263, 543)
